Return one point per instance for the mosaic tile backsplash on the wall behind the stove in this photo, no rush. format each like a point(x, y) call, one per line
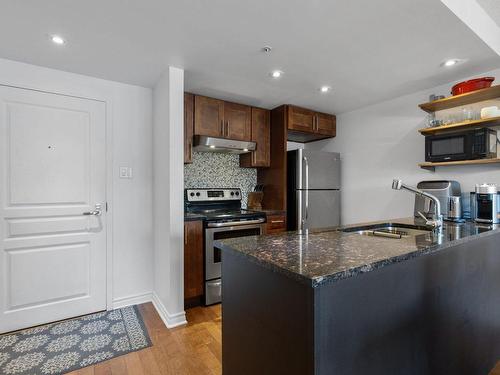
point(216, 170)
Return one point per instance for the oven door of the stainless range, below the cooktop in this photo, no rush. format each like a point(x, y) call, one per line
point(213, 254)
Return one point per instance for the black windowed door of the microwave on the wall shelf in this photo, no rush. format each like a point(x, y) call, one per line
point(448, 147)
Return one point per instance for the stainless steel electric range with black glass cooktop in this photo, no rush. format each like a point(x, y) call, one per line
point(224, 219)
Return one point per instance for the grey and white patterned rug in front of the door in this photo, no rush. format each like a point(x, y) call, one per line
point(65, 346)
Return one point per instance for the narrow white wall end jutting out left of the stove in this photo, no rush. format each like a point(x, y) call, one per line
point(168, 185)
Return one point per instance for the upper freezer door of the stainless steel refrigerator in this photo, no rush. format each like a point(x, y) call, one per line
point(318, 170)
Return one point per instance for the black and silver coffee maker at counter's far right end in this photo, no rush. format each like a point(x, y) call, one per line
point(487, 204)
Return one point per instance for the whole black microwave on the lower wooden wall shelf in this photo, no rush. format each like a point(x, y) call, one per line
point(465, 145)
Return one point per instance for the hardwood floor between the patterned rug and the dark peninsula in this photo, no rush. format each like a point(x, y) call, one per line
point(195, 348)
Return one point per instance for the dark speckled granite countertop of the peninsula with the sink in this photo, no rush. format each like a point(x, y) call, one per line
point(329, 255)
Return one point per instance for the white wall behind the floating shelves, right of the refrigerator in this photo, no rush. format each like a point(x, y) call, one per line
point(381, 142)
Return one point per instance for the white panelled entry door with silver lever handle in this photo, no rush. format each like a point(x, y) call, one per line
point(52, 170)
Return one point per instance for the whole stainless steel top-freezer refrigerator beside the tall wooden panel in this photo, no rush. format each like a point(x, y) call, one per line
point(313, 190)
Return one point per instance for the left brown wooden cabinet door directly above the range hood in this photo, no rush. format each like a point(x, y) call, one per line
point(208, 116)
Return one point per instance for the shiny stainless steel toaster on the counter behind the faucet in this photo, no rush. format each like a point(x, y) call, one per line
point(448, 194)
